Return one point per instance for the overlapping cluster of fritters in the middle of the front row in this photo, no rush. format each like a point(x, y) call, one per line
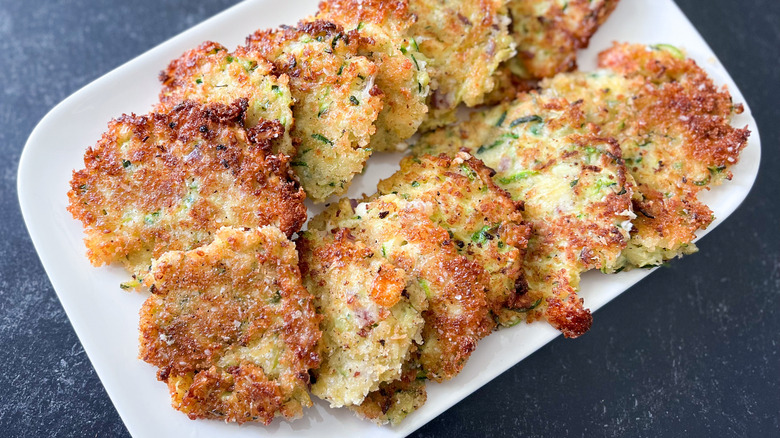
point(414, 251)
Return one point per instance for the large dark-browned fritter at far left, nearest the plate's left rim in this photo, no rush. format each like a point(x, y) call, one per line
point(168, 181)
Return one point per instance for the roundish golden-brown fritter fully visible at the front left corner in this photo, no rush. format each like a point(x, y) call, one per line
point(231, 327)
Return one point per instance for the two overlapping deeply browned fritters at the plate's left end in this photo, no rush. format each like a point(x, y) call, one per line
point(228, 323)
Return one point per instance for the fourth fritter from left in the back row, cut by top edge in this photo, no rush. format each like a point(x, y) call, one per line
point(382, 27)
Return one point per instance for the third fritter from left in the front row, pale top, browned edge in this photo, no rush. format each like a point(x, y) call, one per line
point(457, 315)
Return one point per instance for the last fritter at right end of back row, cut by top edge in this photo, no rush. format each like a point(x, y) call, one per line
point(548, 33)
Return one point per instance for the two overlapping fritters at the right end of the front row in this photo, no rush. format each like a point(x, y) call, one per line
point(652, 128)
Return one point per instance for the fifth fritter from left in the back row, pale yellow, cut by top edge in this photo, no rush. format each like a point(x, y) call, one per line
point(464, 41)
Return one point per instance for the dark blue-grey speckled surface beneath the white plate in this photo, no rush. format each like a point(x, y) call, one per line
point(690, 351)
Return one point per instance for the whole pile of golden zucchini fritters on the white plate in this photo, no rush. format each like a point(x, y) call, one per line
point(488, 223)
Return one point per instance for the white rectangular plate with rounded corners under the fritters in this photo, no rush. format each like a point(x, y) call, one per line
point(106, 318)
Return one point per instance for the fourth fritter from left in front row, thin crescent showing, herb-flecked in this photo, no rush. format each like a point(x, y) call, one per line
point(481, 218)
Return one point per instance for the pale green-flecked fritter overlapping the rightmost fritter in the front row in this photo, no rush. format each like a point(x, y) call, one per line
point(576, 191)
